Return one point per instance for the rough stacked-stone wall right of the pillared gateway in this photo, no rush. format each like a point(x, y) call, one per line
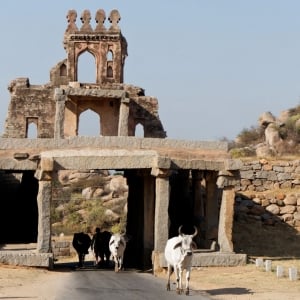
point(269, 191)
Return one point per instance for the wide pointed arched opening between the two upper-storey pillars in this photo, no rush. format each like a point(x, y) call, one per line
point(89, 124)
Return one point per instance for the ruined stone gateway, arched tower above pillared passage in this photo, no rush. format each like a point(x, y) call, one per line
point(171, 182)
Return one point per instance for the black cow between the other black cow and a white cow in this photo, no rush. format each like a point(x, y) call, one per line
point(100, 246)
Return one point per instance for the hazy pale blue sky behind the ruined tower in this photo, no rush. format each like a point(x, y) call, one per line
point(214, 66)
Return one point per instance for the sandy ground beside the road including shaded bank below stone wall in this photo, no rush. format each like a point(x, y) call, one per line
point(220, 283)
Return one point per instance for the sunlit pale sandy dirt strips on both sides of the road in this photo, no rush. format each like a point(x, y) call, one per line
point(226, 283)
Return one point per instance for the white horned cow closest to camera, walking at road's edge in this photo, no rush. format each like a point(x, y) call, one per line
point(179, 254)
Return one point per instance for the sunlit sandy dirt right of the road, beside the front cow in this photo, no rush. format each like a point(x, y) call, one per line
point(247, 282)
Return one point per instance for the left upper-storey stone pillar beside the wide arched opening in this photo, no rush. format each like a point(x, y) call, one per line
point(60, 99)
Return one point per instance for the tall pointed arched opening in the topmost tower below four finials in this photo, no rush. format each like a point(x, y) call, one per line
point(86, 70)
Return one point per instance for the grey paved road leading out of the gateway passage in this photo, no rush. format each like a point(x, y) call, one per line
point(91, 284)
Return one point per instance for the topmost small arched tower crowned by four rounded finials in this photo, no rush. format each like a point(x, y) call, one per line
point(107, 46)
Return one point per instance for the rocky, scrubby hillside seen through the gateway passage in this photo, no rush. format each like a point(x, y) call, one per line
point(85, 200)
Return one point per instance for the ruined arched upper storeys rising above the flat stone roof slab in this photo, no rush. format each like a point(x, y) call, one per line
point(54, 110)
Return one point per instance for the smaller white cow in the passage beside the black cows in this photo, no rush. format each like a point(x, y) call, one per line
point(117, 246)
